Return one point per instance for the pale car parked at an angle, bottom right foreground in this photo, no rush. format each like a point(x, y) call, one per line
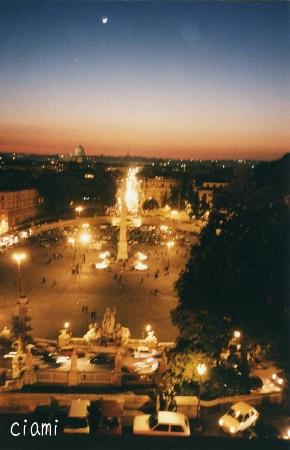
point(238, 418)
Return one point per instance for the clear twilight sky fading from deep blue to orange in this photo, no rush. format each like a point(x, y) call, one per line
point(191, 80)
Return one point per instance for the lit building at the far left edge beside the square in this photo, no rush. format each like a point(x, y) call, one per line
point(17, 207)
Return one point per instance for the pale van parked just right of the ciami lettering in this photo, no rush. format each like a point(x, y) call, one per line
point(77, 419)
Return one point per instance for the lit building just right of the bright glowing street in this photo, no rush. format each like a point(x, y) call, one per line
point(158, 188)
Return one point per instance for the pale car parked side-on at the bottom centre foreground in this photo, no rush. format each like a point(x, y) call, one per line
point(165, 423)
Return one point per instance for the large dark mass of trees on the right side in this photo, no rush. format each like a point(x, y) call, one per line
point(239, 276)
